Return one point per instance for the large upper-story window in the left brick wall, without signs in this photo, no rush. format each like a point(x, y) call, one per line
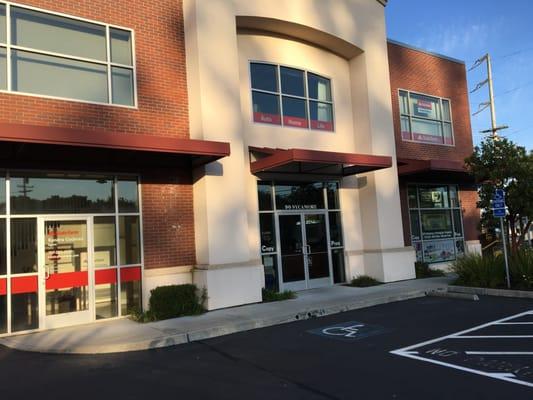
point(51, 55)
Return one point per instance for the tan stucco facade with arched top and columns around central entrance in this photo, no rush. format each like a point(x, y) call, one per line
point(220, 109)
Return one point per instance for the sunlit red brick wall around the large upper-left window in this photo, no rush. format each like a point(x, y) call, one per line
point(161, 78)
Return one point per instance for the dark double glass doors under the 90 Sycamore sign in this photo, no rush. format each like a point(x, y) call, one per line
point(304, 255)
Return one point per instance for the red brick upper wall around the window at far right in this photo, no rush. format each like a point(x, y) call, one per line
point(421, 72)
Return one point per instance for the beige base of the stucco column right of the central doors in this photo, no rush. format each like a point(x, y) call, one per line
point(388, 265)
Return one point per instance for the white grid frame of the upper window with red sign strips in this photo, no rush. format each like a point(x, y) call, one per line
point(280, 96)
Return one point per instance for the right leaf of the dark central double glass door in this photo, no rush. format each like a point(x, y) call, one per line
point(316, 251)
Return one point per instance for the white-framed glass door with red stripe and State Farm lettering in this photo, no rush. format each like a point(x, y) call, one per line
point(65, 259)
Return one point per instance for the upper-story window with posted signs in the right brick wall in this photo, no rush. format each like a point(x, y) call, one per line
point(425, 119)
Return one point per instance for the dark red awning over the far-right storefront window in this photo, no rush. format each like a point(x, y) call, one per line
point(435, 169)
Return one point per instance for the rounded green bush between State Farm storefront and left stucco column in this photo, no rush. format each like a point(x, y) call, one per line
point(175, 301)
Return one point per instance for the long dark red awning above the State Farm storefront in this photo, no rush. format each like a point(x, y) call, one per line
point(42, 143)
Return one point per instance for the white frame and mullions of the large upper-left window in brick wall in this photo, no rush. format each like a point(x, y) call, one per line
point(108, 63)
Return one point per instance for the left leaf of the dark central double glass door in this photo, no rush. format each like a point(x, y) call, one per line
point(293, 271)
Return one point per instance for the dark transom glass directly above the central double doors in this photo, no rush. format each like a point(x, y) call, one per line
point(299, 196)
